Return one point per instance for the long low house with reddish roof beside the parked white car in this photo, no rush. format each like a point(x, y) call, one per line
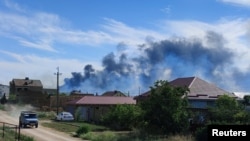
point(93, 107)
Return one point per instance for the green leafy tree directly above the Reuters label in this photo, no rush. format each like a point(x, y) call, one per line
point(227, 110)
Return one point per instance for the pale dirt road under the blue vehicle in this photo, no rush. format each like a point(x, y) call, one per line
point(39, 134)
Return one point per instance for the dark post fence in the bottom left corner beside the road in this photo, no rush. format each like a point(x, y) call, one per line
point(7, 130)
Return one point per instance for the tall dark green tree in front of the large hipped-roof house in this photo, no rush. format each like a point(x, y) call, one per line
point(165, 110)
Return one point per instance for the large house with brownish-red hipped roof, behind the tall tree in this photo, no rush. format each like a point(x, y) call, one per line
point(202, 94)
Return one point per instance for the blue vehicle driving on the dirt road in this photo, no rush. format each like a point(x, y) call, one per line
point(28, 118)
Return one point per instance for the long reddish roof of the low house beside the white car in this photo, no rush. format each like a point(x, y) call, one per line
point(102, 100)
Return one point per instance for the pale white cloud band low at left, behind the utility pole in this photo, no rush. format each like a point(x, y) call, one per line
point(42, 68)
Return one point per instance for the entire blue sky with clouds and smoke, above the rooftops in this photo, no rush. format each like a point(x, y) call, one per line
point(125, 45)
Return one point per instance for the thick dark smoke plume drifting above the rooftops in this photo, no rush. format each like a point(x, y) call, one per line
point(183, 57)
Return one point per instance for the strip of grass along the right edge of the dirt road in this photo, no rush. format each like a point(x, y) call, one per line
point(101, 133)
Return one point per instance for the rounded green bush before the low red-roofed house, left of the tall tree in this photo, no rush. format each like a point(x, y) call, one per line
point(121, 117)
